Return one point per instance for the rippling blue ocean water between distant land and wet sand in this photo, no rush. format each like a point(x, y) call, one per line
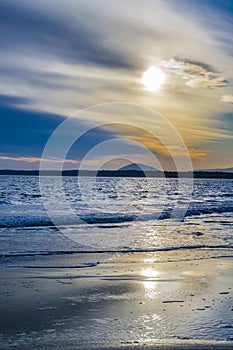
point(113, 215)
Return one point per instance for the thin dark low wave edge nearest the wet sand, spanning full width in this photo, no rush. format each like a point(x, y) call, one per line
point(111, 251)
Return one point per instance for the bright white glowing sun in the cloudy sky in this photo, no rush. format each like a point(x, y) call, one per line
point(153, 78)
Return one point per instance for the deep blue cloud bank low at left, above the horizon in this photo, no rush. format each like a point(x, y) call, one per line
point(25, 133)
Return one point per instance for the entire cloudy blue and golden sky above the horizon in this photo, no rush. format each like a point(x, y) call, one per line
point(59, 59)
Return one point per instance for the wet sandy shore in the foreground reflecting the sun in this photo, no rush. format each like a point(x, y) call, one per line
point(131, 301)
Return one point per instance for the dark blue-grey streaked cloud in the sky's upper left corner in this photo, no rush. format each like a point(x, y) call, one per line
point(25, 28)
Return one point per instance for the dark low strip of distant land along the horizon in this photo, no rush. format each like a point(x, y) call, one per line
point(122, 173)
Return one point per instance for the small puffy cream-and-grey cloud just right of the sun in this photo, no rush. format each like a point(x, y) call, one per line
point(196, 74)
